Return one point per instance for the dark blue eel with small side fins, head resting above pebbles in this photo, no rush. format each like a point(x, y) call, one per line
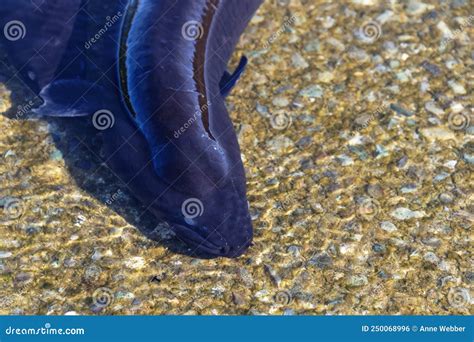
point(158, 69)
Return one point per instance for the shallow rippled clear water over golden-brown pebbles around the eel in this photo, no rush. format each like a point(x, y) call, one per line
point(359, 157)
